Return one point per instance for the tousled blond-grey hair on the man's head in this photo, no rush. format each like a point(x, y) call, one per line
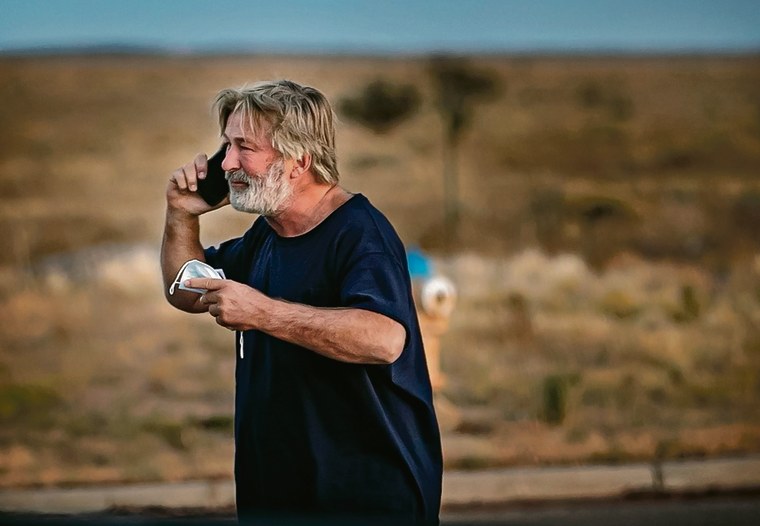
point(298, 120)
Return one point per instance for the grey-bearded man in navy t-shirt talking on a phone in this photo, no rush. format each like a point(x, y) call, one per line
point(333, 413)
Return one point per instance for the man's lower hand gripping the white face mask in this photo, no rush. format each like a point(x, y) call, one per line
point(233, 305)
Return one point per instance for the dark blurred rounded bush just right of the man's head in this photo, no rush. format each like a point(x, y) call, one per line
point(381, 105)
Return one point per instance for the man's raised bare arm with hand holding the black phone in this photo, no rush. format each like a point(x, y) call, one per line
point(181, 240)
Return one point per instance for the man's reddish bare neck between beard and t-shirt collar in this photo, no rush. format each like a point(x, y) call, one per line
point(308, 209)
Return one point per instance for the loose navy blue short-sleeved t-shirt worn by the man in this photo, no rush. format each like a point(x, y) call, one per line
point(315, 435)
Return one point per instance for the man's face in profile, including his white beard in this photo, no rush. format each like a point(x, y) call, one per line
point(255, 171)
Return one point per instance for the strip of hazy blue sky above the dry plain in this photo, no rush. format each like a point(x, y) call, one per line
point(384, 26)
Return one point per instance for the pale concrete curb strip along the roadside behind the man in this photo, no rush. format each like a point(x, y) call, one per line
point(460, 488)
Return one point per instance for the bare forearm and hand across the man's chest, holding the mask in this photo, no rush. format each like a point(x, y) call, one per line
point(344, 334)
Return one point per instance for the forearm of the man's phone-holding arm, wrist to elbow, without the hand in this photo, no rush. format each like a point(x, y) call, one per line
point(181, 243)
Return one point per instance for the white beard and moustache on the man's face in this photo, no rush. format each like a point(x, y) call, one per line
point(267, 192)
